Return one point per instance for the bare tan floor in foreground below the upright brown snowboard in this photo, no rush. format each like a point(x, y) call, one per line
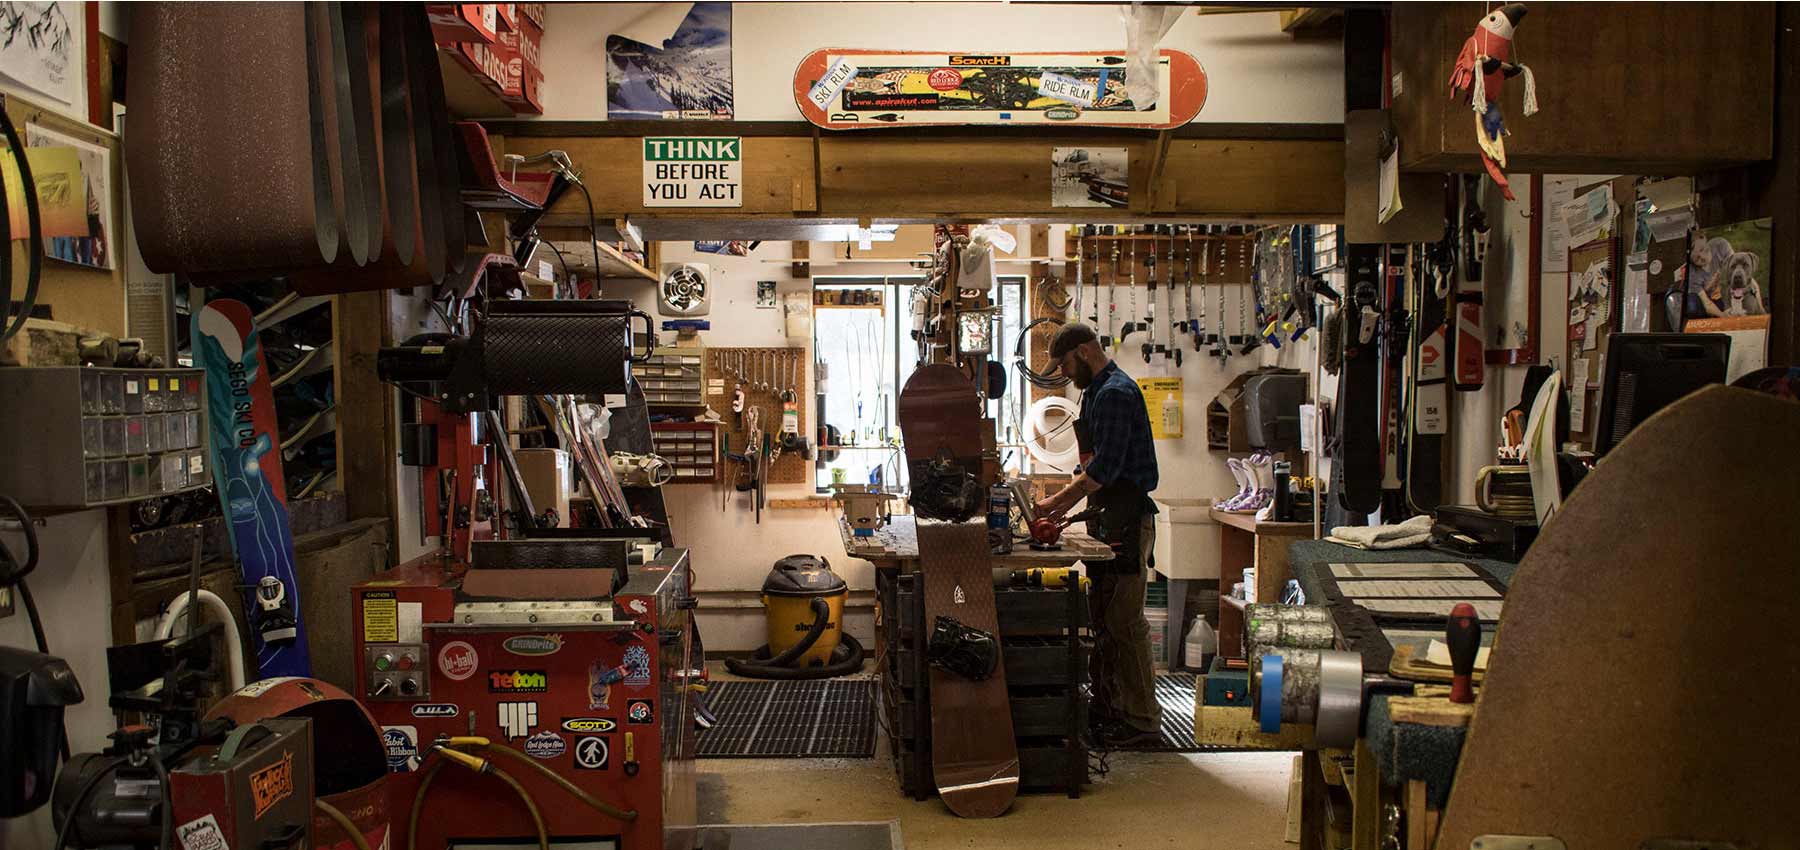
point(1191, 800)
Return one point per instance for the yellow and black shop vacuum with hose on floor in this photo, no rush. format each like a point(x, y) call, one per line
point(804, 604)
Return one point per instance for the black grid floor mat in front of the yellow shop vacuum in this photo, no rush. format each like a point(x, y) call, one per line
point(820, 719)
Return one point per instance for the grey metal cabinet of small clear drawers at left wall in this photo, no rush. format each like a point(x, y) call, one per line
point(80, 437)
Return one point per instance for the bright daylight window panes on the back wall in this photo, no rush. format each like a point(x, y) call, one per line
point(865, 350)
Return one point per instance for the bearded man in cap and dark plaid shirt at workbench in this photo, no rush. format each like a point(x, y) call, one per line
point(1117, 478)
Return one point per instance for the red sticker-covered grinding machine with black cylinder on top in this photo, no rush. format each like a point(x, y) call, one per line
point(528, 680)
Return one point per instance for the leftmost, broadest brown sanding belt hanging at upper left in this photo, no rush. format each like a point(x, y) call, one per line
point(201, 149)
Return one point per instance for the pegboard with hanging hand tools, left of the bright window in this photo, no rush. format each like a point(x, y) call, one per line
point(766, 375)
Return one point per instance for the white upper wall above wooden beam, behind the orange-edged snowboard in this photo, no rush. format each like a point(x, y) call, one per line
point(1255, 71)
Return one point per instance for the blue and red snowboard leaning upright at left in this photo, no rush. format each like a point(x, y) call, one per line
point(249, 478)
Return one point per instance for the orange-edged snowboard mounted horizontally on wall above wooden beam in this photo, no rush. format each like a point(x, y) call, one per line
point(854, 89)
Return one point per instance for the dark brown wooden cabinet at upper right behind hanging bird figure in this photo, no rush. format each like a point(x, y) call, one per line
point(1637, 89)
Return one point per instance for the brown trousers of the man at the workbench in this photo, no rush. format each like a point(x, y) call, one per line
point(1120, 669)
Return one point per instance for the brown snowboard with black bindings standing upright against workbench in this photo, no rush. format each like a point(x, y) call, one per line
point(975, 757)
